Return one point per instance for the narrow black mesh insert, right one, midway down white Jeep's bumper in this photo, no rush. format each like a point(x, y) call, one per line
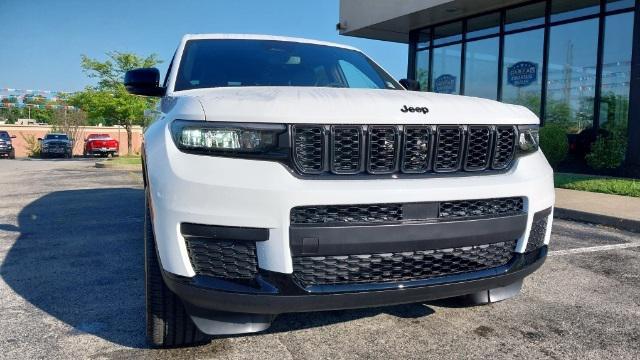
point(475, 208)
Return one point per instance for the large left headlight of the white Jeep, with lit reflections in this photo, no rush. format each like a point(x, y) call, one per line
point(230, 139)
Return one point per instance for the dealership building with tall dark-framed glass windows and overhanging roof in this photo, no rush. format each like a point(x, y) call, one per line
point(572, 62)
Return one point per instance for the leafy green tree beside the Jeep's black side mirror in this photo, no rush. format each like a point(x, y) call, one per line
point(109, 100)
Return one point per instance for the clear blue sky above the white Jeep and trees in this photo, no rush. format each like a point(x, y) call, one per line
point(41, 41)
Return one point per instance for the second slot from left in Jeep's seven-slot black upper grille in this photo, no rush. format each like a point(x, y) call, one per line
point(347, 149)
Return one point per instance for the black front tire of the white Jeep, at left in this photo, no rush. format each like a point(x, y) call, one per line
point(168, 324)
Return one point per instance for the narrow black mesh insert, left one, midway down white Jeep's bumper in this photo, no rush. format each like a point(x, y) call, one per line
point(347, 214)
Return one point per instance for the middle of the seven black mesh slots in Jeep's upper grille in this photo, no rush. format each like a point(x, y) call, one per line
point(417, 143)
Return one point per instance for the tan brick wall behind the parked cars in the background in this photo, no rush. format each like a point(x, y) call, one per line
point(39, 131)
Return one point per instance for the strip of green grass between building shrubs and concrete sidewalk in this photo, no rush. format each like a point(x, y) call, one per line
point(601, 184)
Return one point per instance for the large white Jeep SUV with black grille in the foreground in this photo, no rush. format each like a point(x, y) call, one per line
point(289, 175)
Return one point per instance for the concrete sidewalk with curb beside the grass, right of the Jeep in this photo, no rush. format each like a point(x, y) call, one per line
point(617, 211)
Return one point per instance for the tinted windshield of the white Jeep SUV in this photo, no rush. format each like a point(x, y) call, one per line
point(226, 63)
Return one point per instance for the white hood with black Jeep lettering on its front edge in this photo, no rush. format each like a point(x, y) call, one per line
point(360, 106)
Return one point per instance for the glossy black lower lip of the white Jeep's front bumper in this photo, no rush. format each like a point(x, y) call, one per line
point(277, 293)
